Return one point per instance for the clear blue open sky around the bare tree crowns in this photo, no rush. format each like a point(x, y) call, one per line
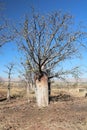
point(15, 9)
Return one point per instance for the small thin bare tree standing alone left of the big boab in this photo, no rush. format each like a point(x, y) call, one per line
point(9, 72)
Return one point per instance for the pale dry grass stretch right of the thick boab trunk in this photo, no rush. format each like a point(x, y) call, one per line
point(76, 90)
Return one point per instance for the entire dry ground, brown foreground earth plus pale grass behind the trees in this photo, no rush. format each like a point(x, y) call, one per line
point(60, 115)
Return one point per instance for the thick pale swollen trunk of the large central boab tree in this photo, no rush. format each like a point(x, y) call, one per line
point(42, 95)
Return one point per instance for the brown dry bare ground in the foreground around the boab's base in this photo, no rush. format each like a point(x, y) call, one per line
point(63, 113)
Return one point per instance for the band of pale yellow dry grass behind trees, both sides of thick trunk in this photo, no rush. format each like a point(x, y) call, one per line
point(20, 91)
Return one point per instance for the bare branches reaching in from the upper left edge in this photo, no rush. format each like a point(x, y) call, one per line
point(7, 33)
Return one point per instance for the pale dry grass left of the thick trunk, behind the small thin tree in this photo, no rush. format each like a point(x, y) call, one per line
point(15, 91)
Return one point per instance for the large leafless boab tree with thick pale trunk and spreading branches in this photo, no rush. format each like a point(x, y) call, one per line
point(47, 41)
